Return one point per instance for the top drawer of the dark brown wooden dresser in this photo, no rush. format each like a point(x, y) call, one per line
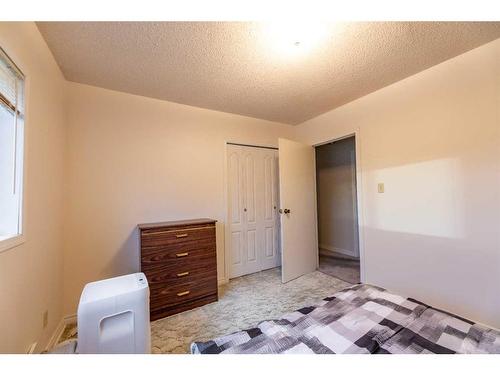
point(184, 236)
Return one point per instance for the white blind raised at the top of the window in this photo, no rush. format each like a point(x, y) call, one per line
point(11, 85)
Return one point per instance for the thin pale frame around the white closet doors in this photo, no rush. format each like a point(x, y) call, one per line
point(227, 254)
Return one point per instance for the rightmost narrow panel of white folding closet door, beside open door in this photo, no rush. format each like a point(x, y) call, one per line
point(270, 256)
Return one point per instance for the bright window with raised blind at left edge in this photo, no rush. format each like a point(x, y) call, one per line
point(11, 152)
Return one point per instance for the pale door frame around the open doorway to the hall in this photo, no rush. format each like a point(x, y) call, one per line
point(359, 197)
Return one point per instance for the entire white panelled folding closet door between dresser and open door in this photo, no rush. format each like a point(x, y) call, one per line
point(253, 240)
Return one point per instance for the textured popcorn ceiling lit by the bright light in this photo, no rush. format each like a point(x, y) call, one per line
point(232, 67)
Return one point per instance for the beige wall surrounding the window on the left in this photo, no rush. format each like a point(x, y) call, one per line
point(31, 274)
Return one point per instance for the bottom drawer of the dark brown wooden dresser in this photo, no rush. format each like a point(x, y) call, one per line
point(167, 294)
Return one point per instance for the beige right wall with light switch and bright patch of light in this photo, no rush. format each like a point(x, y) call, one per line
point(434, 140)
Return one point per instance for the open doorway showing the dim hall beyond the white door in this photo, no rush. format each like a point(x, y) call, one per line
point(338, 231)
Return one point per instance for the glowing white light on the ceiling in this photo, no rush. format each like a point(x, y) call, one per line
point(294, 38)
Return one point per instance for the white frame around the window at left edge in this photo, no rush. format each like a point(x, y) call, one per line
point(12, 242)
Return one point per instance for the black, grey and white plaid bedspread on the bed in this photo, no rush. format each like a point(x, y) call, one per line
point(360, 319)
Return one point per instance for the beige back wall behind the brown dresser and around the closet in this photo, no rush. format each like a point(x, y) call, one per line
point(133, 159)
